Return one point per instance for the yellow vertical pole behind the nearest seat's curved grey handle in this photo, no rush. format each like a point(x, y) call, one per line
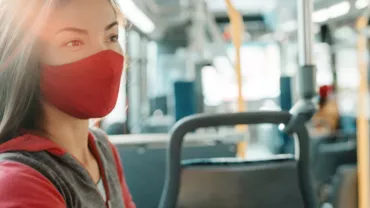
point(237, 31)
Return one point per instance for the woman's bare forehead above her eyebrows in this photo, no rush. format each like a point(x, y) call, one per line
point(86, 14)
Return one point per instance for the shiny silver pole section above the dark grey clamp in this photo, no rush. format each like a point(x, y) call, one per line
point(305, 37)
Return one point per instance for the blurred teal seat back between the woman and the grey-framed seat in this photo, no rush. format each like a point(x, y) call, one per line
point(144, 166)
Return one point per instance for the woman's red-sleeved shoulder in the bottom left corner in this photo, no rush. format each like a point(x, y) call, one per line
point(23, 186)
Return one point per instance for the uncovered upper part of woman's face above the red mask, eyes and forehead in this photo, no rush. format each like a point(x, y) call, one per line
point(78, 29)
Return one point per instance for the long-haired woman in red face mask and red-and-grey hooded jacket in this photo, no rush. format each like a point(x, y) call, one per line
point(60, 65)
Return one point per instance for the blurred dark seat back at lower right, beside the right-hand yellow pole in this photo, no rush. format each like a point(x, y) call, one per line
point(345, 194)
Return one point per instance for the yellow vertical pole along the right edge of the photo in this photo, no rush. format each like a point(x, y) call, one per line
point(362, 120)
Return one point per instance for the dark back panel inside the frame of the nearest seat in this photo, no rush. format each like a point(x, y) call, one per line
point(235, 183)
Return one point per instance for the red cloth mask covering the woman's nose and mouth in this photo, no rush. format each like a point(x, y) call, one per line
point(84, 89)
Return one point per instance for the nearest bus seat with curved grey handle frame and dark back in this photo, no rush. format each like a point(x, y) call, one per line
point(284, 181)
